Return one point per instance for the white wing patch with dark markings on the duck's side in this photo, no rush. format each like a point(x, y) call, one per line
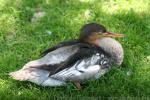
point(82, 70)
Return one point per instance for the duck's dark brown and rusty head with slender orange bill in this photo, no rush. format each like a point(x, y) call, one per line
point(92, 32)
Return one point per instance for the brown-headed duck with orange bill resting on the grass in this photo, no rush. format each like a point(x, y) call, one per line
point(89, 57)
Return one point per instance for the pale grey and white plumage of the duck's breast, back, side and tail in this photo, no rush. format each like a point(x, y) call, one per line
point(85, 69)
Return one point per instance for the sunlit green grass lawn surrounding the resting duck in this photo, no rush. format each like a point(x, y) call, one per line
point(22, 40)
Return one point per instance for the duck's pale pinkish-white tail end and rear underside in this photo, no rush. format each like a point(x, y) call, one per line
point(37, 76)
